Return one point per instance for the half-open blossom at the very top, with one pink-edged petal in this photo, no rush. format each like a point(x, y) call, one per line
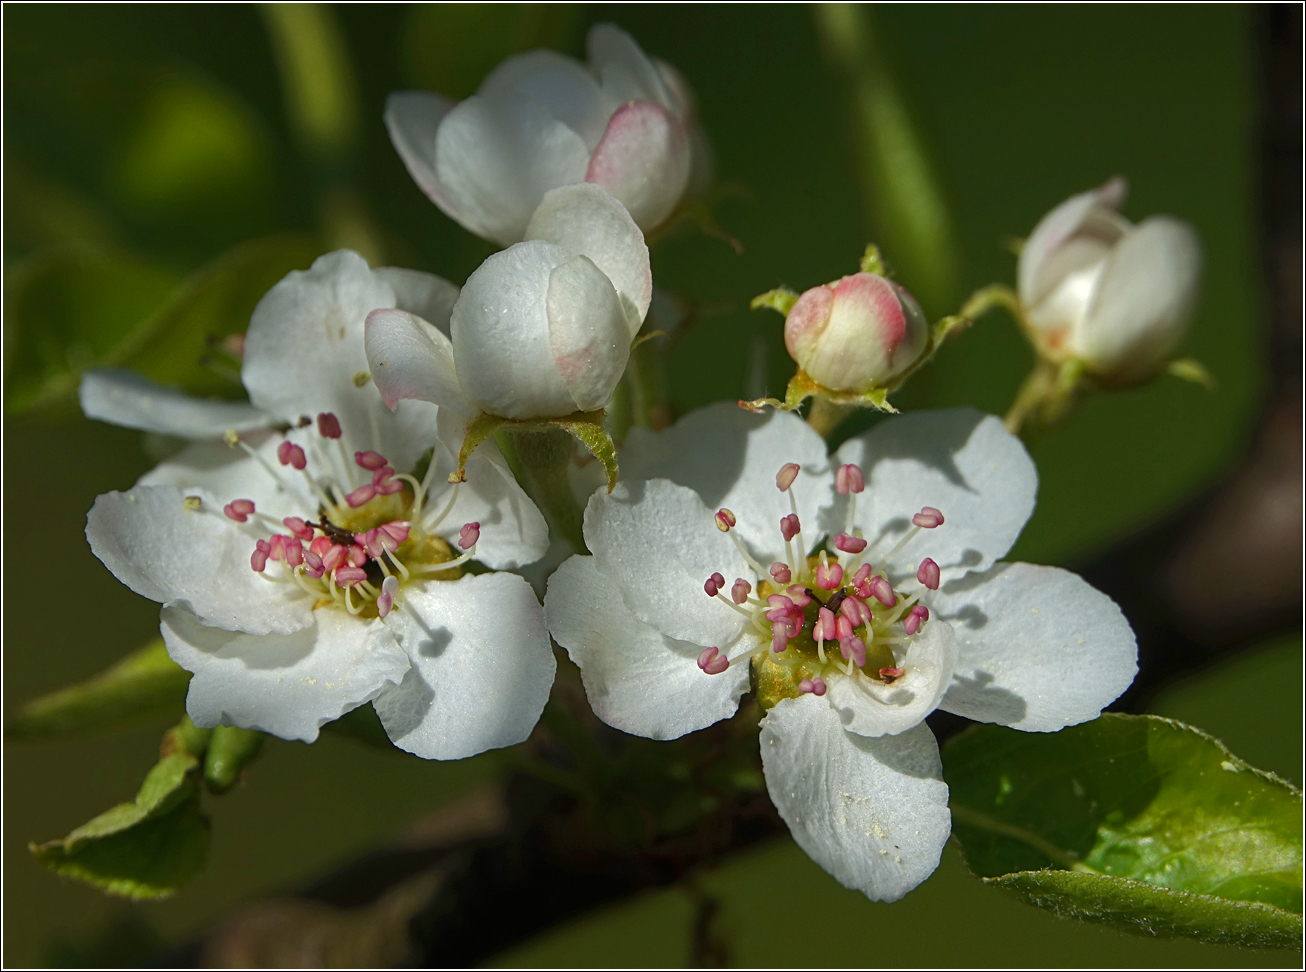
point(541, 121)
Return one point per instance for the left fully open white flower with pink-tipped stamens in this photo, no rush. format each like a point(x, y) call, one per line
point(305, 574)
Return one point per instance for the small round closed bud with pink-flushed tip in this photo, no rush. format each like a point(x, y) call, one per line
point(856, 334)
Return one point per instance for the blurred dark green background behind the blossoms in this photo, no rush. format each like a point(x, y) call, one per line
point(147, 147)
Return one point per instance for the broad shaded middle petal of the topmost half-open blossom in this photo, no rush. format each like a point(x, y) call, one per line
point(496, 157)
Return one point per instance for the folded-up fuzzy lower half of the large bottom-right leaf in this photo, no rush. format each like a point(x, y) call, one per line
point(1154, 911)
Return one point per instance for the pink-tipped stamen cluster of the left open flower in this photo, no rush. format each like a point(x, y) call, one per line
point(328, 557)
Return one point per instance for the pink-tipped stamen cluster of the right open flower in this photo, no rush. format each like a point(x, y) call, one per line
point(808, 607)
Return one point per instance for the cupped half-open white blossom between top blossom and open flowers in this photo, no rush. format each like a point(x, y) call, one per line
point(541, 330)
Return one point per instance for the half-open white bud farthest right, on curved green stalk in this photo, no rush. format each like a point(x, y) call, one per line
point(1100, 289)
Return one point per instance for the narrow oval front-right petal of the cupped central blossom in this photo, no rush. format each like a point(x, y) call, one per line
point(588, 332)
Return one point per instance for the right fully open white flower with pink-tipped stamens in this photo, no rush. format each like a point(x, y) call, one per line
point(702, 585)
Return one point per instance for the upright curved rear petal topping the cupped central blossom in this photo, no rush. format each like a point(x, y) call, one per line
point(586, 220)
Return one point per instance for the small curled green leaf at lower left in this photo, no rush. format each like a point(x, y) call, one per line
point(140, 850)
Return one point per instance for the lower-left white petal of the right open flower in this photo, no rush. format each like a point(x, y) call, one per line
point(638, 680)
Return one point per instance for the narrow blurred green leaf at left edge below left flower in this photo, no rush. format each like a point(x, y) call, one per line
point(144, 683)
